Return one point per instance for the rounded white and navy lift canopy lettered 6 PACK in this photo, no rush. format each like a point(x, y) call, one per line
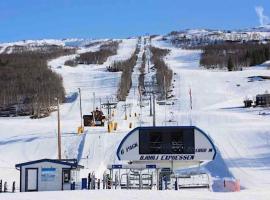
point(181, 145)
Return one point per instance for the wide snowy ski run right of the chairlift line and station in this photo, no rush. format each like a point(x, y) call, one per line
point(241, 135)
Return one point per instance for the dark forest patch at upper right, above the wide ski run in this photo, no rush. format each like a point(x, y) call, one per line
point(234, 56)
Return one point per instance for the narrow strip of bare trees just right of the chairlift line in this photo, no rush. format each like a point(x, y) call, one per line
point(163, 73)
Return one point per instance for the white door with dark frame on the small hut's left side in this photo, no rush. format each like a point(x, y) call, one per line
point(31, 179)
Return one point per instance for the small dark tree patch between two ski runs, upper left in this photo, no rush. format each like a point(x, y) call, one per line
point(96, 57)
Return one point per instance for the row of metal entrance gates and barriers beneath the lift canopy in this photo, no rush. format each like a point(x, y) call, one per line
point(145, 177)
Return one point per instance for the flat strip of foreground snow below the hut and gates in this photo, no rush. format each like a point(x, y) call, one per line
point(138, 194)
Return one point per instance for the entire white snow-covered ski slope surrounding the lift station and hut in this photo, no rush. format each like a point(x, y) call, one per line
point(241, 135)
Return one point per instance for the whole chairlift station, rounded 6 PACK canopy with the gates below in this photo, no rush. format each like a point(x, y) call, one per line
point(151, 155)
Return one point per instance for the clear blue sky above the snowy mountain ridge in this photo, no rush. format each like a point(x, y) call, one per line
point(36, 19)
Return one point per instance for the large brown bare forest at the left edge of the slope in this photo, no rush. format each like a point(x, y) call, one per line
point(27, 81)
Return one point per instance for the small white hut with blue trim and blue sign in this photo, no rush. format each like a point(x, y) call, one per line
point(48, 175)
